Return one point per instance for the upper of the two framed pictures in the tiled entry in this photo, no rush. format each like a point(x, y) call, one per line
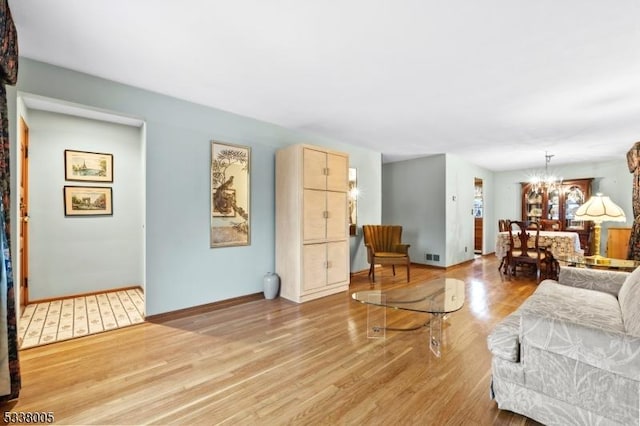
point(88, 166)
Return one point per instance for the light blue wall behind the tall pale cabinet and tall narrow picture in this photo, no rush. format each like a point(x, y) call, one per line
point(181, 270)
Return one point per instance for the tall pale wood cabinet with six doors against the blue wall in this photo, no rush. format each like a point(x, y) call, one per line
point(312, 228)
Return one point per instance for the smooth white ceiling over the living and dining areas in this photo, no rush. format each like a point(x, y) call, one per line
point(497, 82)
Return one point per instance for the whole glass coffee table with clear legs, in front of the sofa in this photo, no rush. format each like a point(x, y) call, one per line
point(437, 297)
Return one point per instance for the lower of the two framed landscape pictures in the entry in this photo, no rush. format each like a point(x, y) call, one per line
point(87, 201)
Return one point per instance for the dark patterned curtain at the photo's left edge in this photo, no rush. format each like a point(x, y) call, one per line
point(9, 365)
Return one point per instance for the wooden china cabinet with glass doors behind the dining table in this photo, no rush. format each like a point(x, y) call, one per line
point(555, 207)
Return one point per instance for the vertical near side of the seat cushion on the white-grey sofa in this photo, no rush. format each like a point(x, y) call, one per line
point(608, 350)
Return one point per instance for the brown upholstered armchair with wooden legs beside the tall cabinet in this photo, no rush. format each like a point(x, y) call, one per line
point(384, 247)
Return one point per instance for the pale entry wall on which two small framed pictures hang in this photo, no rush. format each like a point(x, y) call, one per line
point(72, 255)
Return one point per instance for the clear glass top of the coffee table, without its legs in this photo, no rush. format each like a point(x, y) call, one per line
point(438, 296)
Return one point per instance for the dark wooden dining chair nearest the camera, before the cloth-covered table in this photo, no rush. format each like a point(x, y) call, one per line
point(524, 248)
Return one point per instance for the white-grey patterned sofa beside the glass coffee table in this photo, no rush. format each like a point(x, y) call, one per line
point(570, 354)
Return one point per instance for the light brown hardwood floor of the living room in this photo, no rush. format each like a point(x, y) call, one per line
point(277, 362)
